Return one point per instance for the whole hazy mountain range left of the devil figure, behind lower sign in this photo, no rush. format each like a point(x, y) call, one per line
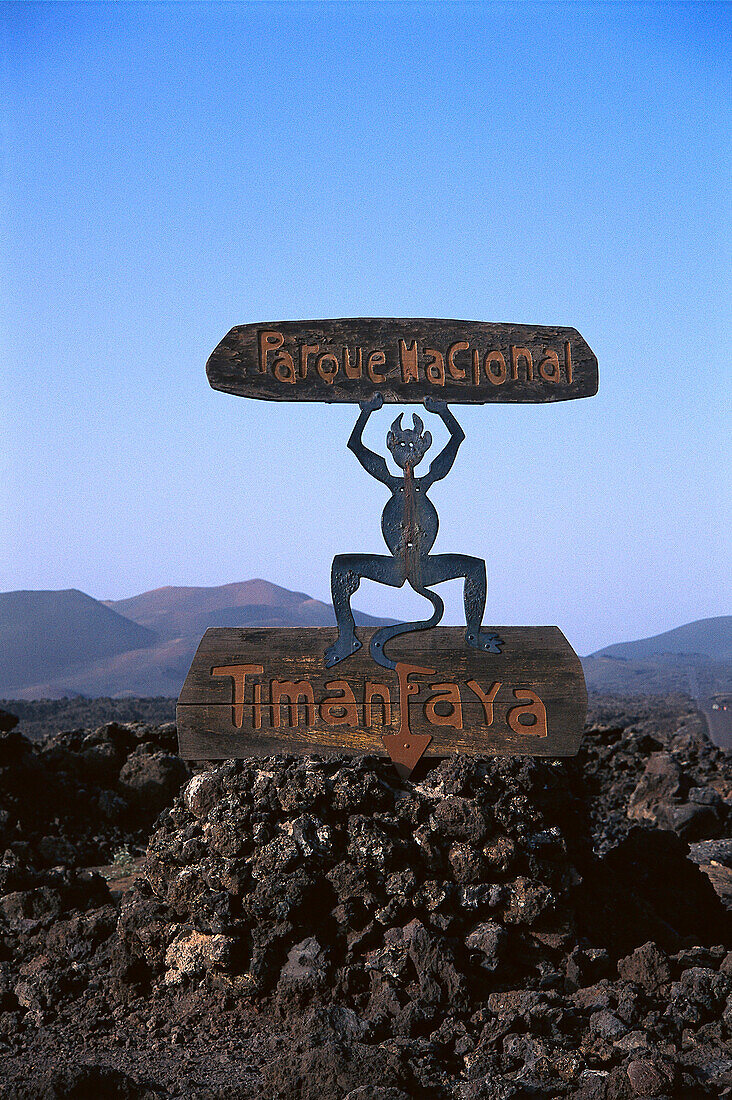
point(65, 644)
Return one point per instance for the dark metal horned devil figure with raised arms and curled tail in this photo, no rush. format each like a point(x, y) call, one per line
point(410, 525)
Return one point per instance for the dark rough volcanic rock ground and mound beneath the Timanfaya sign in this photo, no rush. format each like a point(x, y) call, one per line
point(494, 930)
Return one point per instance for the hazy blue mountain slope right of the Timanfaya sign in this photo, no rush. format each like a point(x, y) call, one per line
point(695, 659)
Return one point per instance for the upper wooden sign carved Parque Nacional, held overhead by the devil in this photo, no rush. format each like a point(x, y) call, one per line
point(349, 360)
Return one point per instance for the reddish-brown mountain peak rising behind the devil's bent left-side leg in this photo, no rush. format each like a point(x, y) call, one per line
point(180, 613)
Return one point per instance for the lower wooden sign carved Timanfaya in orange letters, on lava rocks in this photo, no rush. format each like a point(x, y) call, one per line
point(259, 692)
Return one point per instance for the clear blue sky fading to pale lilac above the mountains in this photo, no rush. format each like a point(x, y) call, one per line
point(173, 170)
